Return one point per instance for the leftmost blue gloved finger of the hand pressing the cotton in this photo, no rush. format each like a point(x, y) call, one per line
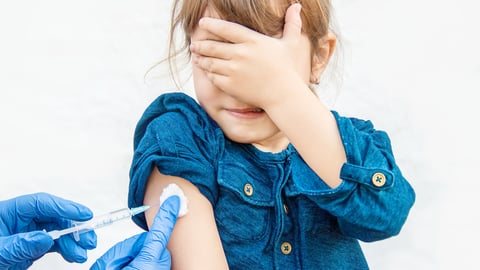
point(121, 254)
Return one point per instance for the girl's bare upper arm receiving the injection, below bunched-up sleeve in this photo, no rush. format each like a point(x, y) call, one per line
point(195, 242)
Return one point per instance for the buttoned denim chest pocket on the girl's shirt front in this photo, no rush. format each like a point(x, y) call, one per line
point(244, 207)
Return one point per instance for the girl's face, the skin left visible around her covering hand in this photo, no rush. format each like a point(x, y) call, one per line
point(241, 122)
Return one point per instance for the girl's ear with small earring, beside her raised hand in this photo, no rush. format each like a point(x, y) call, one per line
point(321, 56)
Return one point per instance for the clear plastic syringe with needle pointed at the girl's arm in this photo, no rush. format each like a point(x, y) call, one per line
point(98, 222)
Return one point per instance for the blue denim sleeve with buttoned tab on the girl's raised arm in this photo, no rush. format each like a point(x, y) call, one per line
point(374, 199)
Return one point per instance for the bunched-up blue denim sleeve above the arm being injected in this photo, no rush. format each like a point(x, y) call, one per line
point(172, 140)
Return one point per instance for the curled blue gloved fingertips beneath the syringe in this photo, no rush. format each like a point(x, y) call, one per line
point(73, 251)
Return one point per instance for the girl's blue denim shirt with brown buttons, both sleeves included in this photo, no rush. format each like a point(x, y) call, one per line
point(272, 210)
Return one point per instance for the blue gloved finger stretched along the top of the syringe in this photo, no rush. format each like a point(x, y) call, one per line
point(43, 207)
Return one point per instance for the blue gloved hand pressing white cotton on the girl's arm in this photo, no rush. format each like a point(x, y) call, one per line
point(147, 250)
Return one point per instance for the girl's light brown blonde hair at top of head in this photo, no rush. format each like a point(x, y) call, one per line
point(264, 16)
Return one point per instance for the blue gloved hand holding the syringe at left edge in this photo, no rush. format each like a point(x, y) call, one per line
point(22, 220)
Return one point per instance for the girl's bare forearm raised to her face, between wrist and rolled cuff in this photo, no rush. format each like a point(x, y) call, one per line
point(318, 142)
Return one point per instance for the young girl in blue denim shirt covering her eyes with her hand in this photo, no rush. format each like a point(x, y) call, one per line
point(274, 179)
